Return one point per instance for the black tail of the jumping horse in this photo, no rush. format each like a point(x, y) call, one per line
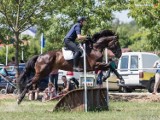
point(28, 72)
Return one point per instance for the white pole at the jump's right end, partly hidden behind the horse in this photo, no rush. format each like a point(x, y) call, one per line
point(107, 90)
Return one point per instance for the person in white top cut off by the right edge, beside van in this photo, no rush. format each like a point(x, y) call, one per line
point(157, 76)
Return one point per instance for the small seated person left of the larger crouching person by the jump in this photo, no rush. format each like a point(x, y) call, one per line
point(49, 92)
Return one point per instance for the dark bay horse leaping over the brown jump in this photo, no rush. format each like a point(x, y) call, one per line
point(42, 65)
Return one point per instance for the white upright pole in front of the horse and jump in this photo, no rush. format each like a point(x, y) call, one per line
point(85, 79)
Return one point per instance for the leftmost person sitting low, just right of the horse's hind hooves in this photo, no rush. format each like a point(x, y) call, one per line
point(33, 92)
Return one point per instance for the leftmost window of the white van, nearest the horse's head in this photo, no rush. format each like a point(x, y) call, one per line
point(124, 63)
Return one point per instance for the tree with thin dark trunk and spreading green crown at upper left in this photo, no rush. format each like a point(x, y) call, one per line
point(19, 15)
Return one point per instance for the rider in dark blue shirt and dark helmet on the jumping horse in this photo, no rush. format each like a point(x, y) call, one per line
point(69, 40)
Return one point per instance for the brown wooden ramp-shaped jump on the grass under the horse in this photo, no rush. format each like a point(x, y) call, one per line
point(74, 100)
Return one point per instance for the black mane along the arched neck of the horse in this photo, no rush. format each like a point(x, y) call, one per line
point(102, 33)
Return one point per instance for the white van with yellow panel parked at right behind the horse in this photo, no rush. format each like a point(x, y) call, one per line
point(132, 66)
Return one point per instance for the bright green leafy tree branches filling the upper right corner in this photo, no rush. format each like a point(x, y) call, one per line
point(146, 13)
